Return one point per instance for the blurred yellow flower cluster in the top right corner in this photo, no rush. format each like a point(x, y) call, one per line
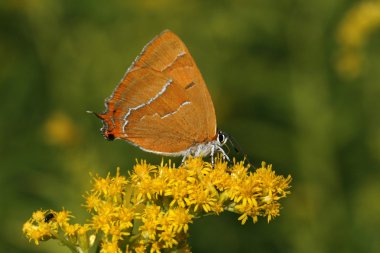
point(354, 30)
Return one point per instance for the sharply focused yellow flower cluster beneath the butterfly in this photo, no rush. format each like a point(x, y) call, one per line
point(151, 209)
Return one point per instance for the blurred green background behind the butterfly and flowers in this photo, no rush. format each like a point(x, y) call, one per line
point(295, 82)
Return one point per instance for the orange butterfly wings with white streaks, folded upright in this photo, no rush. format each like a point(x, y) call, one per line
point(162, 104)
